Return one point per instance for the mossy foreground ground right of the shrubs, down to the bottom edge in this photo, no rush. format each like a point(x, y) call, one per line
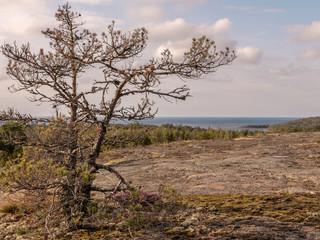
point(230, 216)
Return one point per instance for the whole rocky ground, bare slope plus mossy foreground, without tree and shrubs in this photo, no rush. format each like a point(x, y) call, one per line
point(263, 166)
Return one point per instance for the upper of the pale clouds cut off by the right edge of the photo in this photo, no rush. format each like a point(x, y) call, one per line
point(306, 33)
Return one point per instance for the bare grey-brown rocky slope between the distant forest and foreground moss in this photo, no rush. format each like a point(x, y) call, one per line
point(265, 164)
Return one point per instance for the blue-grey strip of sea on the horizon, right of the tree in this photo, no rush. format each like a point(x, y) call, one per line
point(231, 123)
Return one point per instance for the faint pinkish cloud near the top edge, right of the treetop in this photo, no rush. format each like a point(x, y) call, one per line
point(147, 12)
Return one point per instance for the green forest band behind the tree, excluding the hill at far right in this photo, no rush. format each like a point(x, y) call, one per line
point(120, 135)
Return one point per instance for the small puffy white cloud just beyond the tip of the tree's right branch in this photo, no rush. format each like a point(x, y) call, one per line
point(249, 55)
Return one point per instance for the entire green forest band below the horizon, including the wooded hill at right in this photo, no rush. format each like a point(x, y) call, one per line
point(135, 134)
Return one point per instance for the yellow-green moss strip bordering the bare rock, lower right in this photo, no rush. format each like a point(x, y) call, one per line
point(301, 207)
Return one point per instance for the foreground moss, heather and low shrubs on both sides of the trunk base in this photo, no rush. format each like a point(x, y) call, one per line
point(168, 215)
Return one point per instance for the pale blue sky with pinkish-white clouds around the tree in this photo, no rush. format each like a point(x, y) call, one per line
point(277, 43)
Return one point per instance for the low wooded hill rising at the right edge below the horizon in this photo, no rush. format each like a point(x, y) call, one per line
point(311, 124)
